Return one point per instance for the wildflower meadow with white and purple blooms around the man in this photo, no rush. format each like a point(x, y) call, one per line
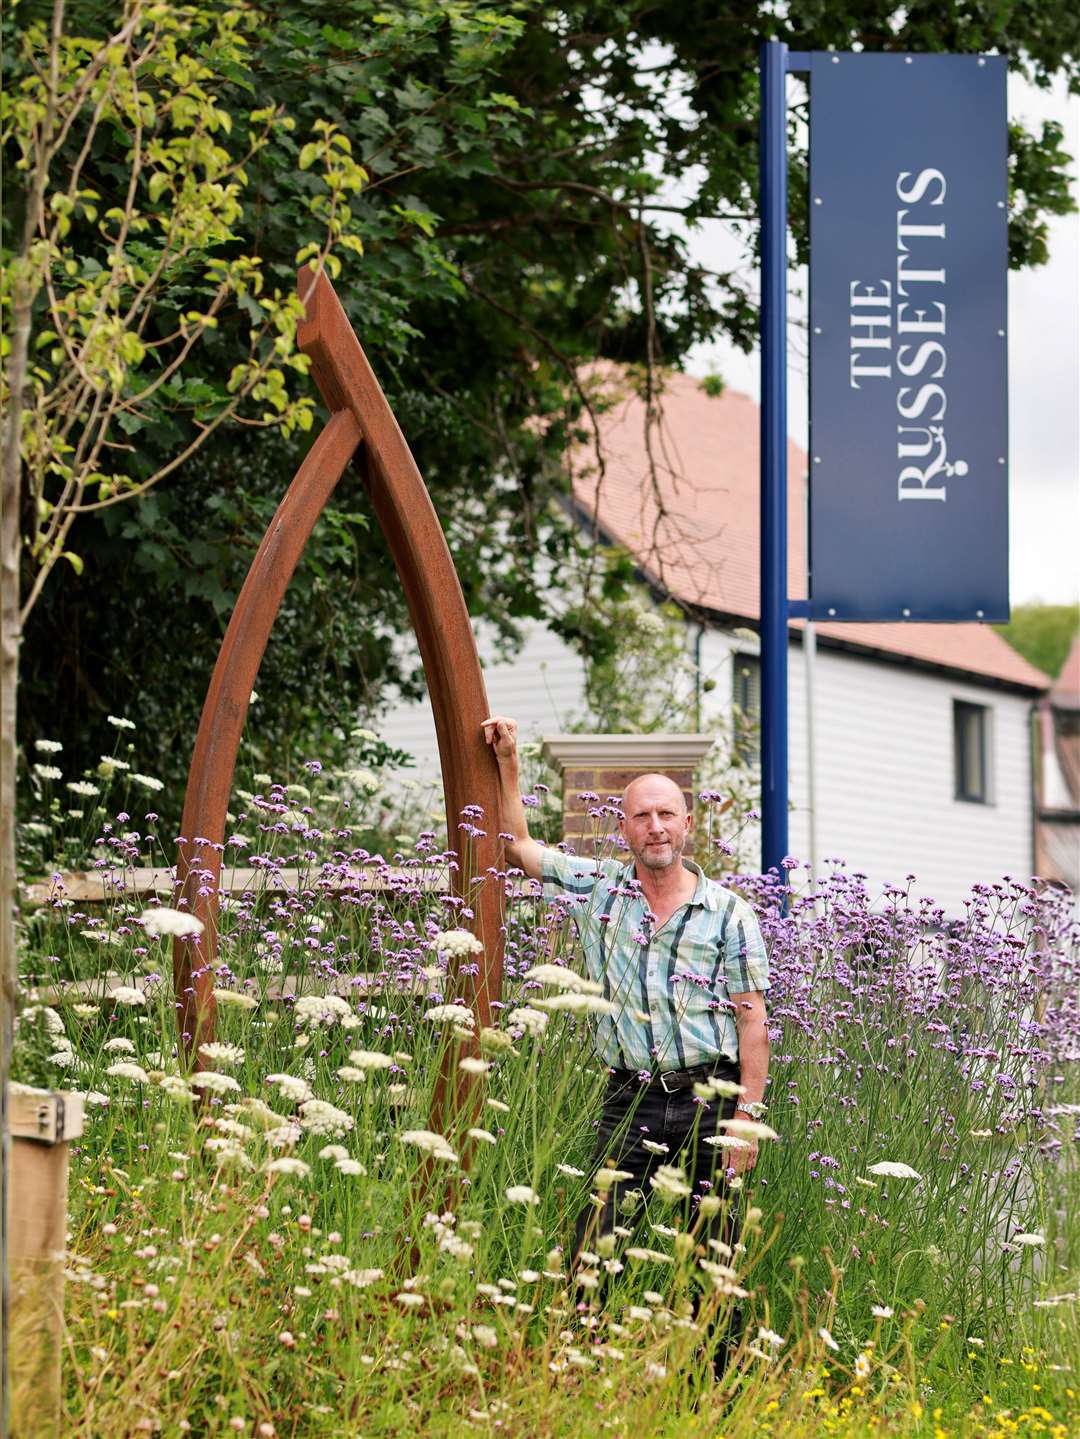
point(280, 1244)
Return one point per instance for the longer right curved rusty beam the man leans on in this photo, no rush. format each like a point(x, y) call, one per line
point(448, 648)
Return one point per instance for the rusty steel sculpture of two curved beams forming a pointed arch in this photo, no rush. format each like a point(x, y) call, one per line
point(362, 431)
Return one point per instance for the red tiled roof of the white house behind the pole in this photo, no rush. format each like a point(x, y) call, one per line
point(694, 530)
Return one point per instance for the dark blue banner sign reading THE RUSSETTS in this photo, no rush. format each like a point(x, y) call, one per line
point(908, 382)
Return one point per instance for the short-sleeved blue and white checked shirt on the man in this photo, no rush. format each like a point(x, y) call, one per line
point(671, 988)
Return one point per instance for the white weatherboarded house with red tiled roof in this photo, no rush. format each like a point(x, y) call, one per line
point(923, 735)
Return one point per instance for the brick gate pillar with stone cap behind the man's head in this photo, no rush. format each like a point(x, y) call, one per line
point(606, 763)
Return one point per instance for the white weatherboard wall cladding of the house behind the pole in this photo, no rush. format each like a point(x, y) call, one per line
point(884, 758)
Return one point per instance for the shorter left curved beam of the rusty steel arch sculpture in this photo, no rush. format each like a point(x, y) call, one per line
point(211, 778)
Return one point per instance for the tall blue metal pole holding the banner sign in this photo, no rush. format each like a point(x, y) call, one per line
point(774, 457)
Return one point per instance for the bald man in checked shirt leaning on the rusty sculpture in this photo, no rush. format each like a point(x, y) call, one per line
point(684, 965)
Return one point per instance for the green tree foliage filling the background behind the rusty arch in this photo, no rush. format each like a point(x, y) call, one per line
point(484, 181)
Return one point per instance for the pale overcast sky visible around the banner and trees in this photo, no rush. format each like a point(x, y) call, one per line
point(1045, 381)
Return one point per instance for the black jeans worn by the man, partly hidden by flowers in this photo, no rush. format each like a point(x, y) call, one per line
point(635, 1115)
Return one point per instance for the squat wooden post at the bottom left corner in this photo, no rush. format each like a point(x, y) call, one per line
point(41, 1127)
